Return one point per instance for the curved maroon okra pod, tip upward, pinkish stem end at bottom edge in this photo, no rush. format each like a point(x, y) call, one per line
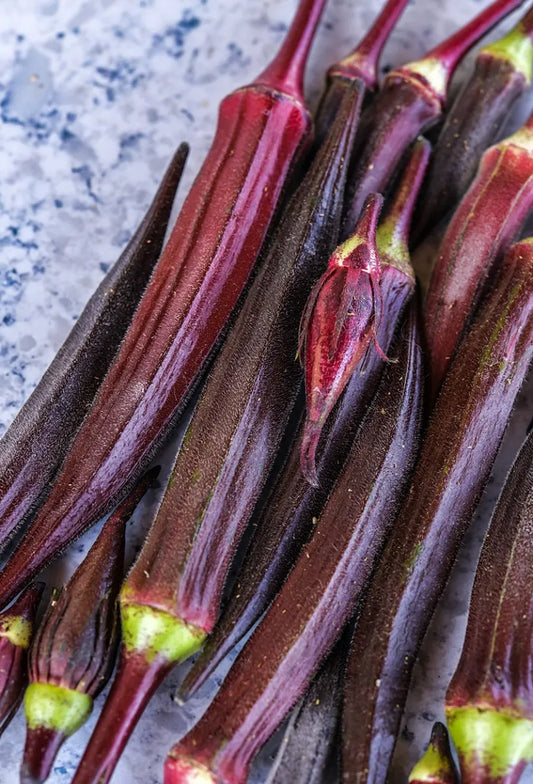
point(307, 616)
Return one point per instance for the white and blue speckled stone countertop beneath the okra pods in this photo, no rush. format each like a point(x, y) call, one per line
point(94, 97)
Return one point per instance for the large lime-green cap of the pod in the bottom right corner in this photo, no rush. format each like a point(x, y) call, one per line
point(490, 741)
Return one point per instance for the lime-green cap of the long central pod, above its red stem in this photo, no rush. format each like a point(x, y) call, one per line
point(156, 633)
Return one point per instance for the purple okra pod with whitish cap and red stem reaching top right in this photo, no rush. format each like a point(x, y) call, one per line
point(411, 99)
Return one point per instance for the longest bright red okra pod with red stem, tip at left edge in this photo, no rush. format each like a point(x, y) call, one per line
point(263, 130)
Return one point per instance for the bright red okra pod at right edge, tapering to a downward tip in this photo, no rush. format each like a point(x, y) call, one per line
point(483, 227)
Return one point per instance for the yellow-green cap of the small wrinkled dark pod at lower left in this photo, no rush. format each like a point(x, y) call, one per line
point(56, 708)
